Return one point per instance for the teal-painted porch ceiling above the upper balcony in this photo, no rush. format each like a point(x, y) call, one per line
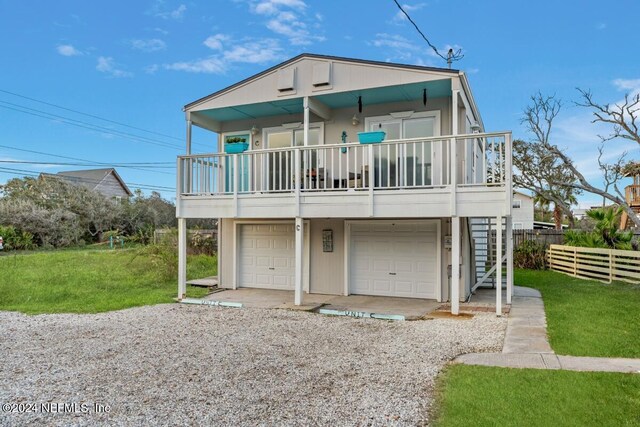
point(379, 95)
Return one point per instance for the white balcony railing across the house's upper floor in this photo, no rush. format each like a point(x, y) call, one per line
point(481, 160)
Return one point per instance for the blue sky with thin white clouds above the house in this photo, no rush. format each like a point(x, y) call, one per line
point(137, 63)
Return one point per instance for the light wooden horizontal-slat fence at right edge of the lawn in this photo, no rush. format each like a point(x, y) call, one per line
point(594, 263)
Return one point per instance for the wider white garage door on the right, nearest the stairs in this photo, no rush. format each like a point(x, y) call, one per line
point(398, 260)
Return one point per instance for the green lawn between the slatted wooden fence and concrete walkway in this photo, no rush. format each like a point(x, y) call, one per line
point(588, 318)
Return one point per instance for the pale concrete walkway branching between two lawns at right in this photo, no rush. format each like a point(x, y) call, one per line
point(526, 344)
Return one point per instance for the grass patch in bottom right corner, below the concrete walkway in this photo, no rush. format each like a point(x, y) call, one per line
point(484, 396)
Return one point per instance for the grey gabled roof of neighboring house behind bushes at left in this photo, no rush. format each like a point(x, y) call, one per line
point(105, 181)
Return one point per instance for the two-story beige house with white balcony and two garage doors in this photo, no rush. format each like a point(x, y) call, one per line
point(309, 209)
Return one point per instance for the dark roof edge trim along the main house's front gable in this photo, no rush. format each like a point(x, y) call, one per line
point(320, 57)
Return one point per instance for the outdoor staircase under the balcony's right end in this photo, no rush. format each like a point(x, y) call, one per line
point(483, 234)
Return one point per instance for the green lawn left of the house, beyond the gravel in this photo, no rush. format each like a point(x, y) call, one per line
point(93, 281)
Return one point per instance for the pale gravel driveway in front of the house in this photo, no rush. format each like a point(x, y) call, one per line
point(192, 365)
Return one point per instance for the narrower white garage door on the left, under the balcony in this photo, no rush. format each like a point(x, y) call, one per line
point(266, 256)
